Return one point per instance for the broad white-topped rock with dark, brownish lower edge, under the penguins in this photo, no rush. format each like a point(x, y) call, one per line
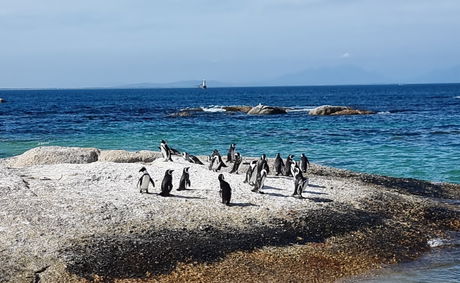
point(95, 227)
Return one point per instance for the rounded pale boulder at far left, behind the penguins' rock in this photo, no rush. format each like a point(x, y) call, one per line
point(55, 155)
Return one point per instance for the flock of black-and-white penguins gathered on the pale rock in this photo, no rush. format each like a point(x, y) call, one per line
point(255, 176)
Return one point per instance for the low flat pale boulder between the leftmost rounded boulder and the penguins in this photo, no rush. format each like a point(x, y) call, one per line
point(123, 156)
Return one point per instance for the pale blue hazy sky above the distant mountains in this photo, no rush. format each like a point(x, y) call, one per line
point(97, 43)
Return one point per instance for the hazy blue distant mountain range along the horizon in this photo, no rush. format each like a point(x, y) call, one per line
point(336, 75)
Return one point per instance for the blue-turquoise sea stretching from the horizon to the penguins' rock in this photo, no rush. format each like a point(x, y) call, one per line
point(416, 132)
